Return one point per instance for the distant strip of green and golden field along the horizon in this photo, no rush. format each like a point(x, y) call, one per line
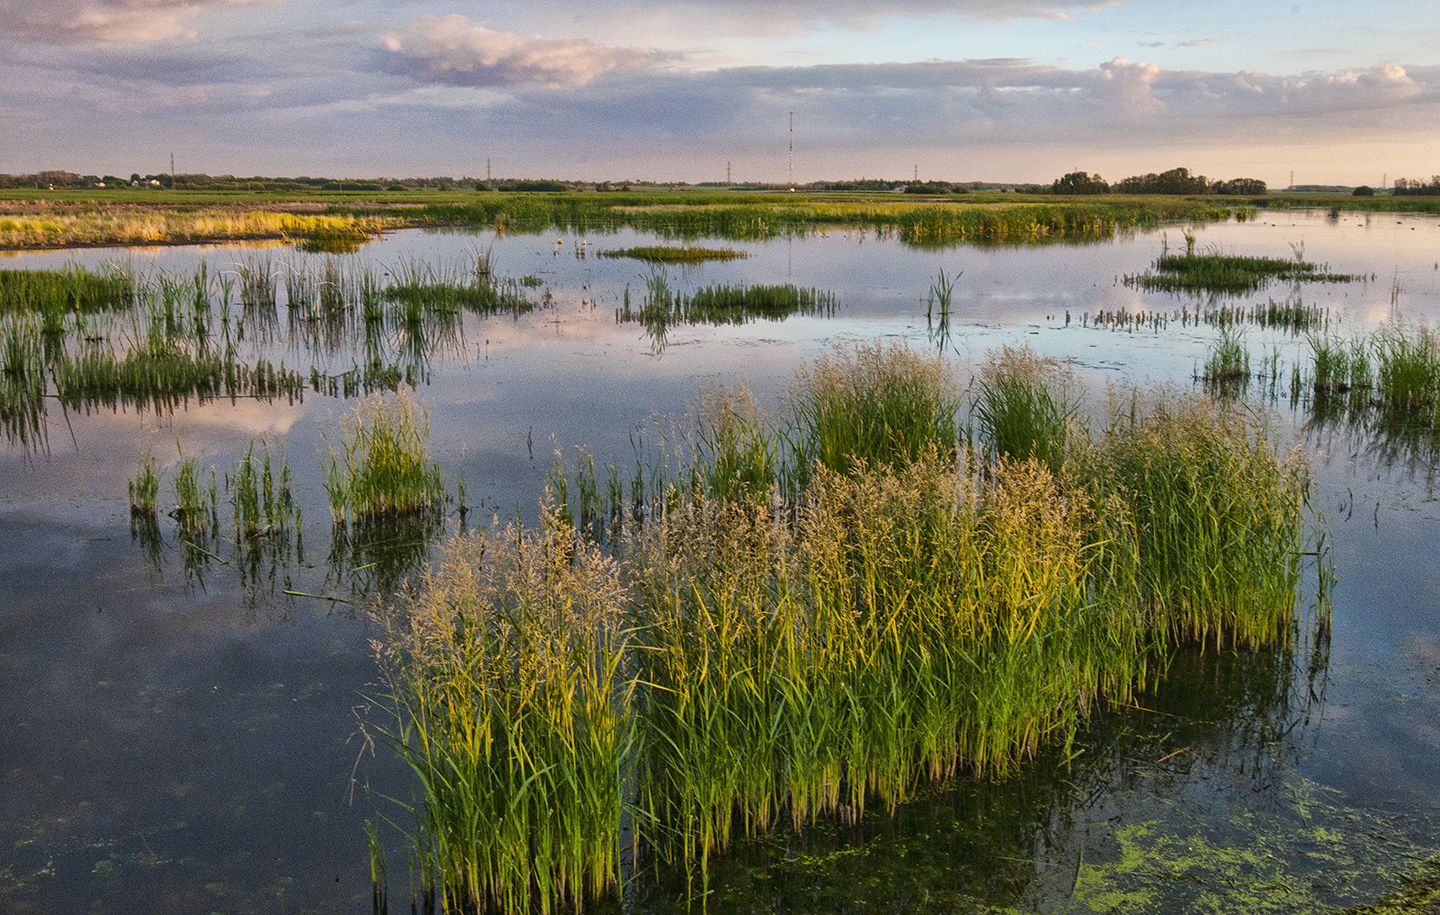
point(149, 217)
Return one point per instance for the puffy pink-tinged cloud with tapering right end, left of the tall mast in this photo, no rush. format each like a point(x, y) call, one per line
point(456, 51)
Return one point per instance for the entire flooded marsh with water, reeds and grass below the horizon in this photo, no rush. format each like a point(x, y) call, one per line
point(536, 553)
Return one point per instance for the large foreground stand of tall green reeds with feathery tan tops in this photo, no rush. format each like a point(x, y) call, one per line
point(814, 612)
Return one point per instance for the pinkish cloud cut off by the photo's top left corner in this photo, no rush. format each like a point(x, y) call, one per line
point(74, 22)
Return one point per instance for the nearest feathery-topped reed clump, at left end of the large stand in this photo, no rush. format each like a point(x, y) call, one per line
point(510, 705)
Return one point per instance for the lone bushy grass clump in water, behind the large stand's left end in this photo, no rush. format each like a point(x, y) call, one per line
point(384, 466)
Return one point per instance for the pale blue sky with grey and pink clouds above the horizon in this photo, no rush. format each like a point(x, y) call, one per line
point(1330, 91)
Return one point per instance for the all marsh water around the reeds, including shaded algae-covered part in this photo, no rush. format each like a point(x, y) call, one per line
point(182, 730)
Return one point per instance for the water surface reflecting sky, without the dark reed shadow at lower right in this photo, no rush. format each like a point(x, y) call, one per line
point(179, 740)
